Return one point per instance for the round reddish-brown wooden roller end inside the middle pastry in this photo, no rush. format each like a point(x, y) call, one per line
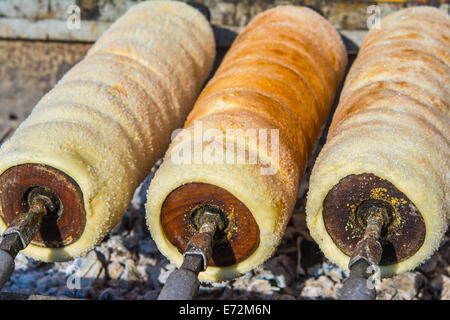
point(179, 213)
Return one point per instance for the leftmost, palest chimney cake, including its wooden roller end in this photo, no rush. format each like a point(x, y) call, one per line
point(94, 137)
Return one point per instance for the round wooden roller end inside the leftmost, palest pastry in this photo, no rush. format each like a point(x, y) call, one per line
point(58, 229)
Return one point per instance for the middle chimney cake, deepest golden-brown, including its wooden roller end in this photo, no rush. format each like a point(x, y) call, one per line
point(279, 77)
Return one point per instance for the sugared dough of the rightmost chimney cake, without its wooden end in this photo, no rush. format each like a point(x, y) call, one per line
point(393, 121)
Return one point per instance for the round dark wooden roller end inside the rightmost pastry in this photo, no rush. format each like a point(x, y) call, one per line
point(400, 239)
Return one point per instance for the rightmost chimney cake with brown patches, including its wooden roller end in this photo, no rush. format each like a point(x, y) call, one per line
point(388, 145)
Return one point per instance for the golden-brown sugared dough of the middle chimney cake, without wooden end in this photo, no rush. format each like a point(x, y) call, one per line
point(281, 73)
